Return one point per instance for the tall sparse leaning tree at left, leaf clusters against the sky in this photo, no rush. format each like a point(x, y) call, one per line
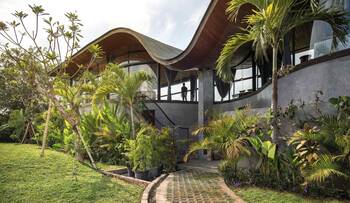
point(37, 63)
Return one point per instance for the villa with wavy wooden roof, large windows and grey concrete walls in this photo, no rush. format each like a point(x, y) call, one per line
point(317, 66)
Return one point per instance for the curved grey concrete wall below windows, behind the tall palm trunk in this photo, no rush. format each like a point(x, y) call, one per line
point(332, 77)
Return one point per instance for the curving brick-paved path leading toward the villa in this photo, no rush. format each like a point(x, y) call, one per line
point(193, 186)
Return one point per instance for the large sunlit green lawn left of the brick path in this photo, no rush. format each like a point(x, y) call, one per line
point(25, 177)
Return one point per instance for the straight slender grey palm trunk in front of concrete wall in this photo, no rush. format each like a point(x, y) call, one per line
point(274, 99)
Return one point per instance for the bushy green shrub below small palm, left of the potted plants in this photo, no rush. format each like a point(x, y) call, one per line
point(106, 132)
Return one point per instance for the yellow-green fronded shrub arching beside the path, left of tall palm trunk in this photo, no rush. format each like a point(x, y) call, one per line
point(228, 134)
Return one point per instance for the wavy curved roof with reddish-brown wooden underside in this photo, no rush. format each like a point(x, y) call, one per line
point(202, 51)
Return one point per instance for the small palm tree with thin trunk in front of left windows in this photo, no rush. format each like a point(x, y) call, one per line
point(114, 80)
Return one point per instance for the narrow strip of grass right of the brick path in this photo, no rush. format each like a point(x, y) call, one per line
point(262, 195)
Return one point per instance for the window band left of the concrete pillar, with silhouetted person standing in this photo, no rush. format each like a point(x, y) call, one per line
point(168, 85)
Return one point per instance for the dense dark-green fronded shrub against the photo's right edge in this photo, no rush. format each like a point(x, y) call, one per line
point(322, 150)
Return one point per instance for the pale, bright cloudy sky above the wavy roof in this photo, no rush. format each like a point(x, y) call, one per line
point(173, 22)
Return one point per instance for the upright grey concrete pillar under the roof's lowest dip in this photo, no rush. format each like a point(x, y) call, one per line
point(205, 99)
